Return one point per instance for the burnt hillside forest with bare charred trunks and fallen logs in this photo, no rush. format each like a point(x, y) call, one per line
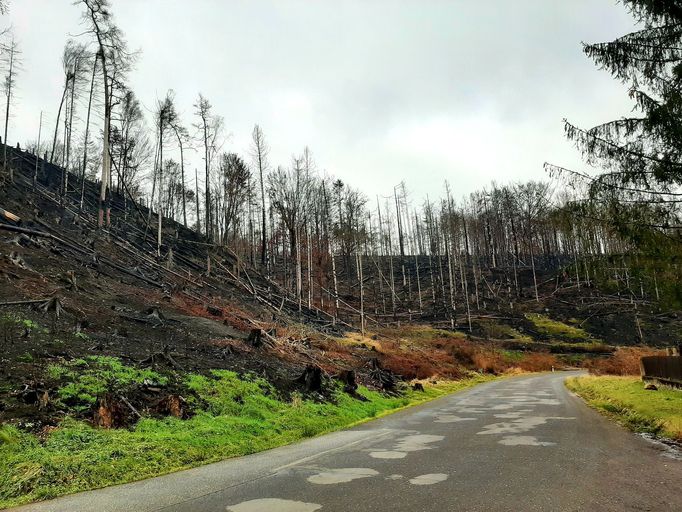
point(136, 235)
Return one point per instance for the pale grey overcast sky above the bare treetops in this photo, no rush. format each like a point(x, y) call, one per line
point(381, 91)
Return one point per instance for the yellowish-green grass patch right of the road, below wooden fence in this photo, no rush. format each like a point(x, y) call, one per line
point(625, 399)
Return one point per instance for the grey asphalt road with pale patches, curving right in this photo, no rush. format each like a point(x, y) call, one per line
point(520, 444)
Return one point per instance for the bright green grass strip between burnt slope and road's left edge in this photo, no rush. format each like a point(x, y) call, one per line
point(238, 417)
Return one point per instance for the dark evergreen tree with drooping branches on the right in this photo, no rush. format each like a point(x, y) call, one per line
point(640, 155)
